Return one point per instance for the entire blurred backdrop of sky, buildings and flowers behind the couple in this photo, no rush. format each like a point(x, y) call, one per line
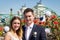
point(47, 14)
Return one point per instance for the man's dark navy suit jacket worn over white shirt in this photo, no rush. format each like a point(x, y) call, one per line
point(40, 33)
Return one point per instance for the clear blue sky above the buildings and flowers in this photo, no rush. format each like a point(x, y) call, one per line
point(5, 5)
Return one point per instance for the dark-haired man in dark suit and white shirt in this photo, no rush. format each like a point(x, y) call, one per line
point(30, 30)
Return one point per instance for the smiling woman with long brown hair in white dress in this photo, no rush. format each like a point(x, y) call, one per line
point(15, 32)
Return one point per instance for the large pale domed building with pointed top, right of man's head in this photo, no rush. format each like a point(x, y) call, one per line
point(41, 10)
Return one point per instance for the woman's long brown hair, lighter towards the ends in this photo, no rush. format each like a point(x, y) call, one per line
point(19, 32)
